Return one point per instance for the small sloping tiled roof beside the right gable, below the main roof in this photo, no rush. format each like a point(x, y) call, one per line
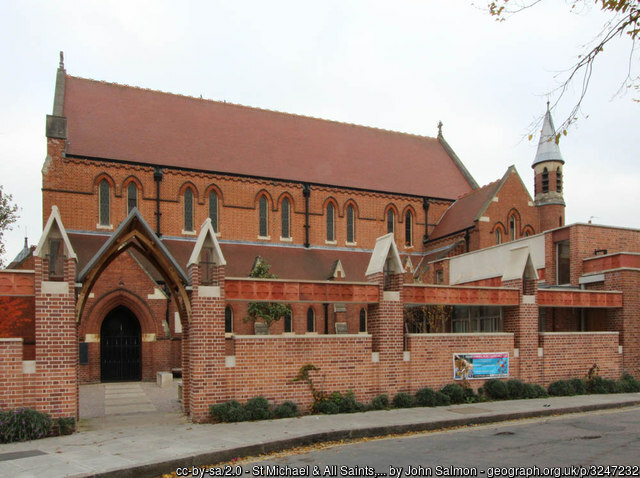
point(463, 213)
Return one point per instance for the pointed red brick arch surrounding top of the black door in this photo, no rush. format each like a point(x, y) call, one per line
point(109, 301)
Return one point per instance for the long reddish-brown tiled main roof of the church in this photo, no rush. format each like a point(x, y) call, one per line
point(125, 123)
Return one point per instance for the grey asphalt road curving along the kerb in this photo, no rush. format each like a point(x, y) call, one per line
point(591, 440)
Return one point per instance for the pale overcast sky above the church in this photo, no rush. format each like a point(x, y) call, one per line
point(399, 65)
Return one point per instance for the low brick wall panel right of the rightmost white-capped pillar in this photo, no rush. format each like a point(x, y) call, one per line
point(571, 354)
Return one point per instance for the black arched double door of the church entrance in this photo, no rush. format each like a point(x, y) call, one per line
point(120, 346)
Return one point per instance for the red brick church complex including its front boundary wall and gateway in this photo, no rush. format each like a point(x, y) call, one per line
point(389, 256)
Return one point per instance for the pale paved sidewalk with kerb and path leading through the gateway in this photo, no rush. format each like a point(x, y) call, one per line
point(149, 443)
